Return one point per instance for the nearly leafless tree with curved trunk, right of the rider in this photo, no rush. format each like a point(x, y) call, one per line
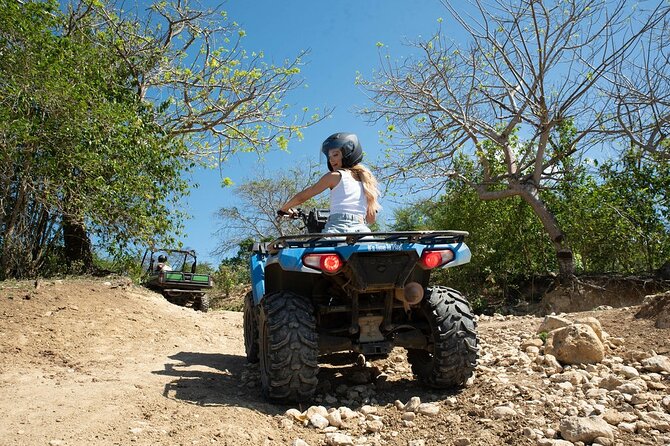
point(514, 104)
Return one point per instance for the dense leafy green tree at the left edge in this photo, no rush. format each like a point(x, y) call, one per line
point(76, 142)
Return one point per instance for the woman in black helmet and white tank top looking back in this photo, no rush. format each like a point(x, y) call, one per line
point(353, 189)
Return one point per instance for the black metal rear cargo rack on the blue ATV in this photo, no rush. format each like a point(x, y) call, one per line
point(338, 239)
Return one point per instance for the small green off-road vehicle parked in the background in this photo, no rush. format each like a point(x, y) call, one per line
point(172, 272)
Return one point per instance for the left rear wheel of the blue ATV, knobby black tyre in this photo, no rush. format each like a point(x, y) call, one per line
point(288, 347)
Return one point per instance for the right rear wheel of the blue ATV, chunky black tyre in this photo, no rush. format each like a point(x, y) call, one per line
point(452, 357)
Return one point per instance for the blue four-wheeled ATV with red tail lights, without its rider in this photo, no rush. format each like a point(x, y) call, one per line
point(317, 294)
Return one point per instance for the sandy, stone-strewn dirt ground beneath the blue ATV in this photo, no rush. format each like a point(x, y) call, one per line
point(103, 362)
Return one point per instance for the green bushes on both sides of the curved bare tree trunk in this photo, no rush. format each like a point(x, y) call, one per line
point(616, 221)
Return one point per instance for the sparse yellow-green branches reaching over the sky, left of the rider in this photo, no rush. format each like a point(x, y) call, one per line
point(207, 89)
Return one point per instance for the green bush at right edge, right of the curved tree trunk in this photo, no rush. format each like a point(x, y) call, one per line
point(619, 220)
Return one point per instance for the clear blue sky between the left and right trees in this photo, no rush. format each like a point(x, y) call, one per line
point(342, 37)
